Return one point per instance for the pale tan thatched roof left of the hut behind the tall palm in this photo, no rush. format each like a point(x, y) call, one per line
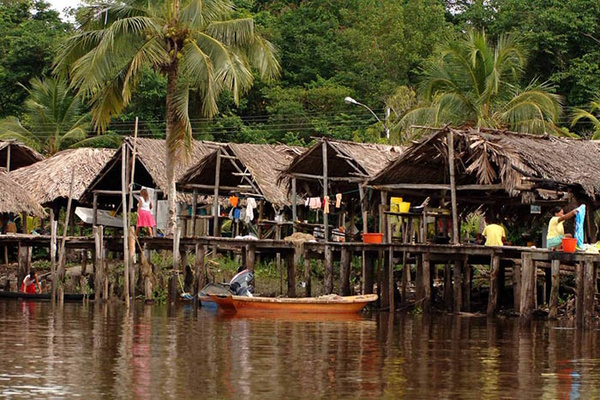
point(50, 179)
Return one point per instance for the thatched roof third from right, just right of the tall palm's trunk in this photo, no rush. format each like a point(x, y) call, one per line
point(262, 162)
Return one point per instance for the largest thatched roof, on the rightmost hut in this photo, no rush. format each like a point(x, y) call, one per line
point(511, 162)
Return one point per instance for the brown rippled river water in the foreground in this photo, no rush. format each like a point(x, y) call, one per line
point(160, 352)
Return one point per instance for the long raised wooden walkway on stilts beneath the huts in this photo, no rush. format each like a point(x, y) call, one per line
point(379, 261)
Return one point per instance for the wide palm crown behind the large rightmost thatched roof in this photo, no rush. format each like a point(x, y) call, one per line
point(474, 83)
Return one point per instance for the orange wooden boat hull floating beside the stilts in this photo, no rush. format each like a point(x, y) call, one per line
point(330, 304)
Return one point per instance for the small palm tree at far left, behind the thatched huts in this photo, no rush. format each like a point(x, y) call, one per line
point(53, 118)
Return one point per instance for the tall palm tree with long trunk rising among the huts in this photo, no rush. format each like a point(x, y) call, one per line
point(196, 44)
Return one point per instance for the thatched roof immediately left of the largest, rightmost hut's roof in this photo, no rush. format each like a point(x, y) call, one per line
point(348, 163)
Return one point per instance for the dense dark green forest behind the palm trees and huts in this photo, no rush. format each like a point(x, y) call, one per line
point(375, 51)
